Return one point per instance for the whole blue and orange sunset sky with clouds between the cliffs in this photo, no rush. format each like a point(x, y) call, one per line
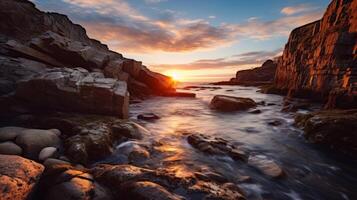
point(194, 40)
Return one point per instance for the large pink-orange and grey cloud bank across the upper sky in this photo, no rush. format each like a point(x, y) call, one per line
point(126, 29)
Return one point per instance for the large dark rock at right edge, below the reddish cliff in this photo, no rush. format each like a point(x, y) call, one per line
point(336, 129)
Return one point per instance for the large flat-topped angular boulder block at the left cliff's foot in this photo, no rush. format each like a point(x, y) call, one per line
point(78, 90)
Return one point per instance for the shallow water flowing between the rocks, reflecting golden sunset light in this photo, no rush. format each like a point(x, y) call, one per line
point(310, 172)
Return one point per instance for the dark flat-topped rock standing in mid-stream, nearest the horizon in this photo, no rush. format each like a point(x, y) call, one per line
point(229, 103)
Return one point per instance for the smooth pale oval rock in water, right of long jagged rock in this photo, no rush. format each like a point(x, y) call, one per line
point(266, 166)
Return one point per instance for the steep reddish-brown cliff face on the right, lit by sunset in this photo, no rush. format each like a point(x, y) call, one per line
point(320, 58)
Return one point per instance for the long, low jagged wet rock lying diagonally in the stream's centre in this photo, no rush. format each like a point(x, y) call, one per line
point(216, 146)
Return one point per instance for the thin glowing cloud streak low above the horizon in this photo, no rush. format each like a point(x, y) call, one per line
point(237, 62)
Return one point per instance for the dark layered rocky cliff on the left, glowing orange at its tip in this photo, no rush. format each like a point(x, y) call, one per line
point(49, 63)
